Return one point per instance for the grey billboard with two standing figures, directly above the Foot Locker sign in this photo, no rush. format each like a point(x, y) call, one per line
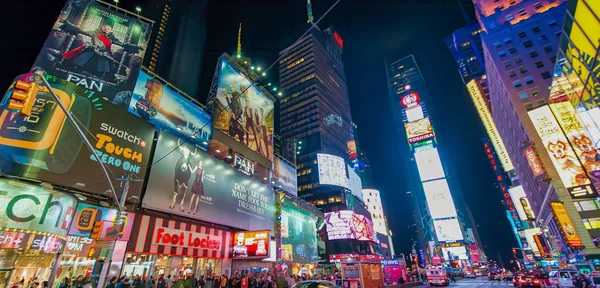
point(189, 182)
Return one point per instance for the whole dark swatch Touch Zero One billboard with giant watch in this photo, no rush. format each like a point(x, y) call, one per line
point(46, 147)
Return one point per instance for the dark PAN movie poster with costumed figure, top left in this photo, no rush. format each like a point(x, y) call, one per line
point(96, 48)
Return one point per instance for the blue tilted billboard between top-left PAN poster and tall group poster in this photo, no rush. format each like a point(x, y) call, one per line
point(168, 110)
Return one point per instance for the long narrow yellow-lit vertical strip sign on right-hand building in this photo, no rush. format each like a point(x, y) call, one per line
point(488, 123)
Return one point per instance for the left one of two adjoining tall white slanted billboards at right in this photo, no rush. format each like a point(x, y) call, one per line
point(563, 157)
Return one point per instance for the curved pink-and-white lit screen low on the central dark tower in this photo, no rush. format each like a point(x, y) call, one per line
point(346, 224)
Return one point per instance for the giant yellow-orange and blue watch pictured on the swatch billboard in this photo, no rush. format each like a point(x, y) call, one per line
point(45, 139)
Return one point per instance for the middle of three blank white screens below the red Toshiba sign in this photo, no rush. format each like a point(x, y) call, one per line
point(439, 199)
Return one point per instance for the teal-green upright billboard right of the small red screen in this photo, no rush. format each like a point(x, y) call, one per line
point(298, 234)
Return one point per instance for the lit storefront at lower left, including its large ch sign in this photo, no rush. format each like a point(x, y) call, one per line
point(34, 225)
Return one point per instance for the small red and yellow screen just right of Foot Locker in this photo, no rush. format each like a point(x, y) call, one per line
point(251, 244)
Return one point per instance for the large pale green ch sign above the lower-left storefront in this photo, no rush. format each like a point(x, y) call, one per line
point(31, 207)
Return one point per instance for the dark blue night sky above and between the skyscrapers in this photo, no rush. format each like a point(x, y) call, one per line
point(372, 31)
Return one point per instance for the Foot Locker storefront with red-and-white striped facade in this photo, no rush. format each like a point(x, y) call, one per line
point(173, 247)
